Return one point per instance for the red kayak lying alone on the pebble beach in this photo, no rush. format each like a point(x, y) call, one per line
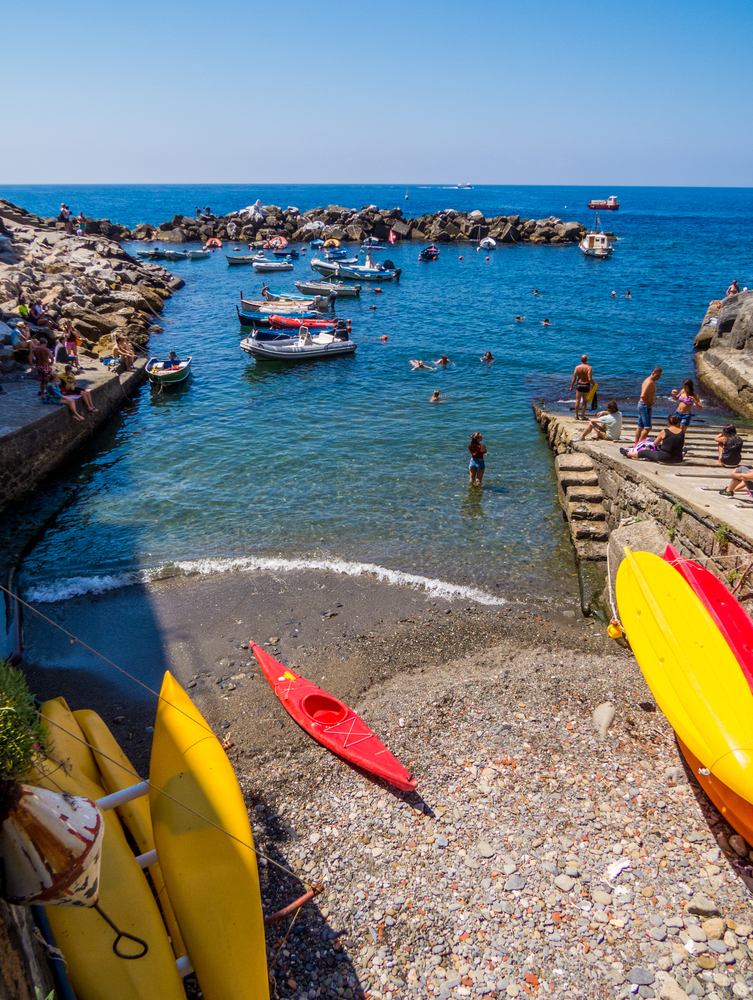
point(331, 722)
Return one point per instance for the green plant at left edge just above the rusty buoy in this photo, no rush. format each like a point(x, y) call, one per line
point(22, 735)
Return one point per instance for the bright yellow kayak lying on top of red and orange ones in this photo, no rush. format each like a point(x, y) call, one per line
point(687, 663)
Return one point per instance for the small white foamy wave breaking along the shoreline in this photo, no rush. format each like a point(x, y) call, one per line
point(63, 590)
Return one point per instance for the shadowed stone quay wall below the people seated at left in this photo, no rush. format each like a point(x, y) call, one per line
point(30, 453)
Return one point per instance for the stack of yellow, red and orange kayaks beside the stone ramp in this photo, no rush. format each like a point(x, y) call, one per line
point(694, 672)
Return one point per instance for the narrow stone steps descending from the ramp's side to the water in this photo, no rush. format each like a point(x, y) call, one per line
point(583, 505)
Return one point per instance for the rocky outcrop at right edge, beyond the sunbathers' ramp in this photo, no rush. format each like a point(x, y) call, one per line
point(724, 352)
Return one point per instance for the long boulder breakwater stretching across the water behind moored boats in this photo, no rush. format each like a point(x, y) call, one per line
point(259, 222)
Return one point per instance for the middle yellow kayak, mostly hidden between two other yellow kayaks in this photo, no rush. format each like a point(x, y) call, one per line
point(116, 773)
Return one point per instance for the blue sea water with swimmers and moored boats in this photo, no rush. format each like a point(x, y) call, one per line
point(347, 460)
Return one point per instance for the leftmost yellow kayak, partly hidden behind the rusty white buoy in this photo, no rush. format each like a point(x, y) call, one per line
point(86, 941)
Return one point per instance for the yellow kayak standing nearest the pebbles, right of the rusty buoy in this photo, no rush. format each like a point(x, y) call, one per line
point(211, 878)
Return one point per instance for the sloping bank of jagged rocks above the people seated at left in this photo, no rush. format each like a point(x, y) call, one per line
point(88, 279)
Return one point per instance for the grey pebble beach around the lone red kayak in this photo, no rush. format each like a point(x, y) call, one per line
point(493, 878)
